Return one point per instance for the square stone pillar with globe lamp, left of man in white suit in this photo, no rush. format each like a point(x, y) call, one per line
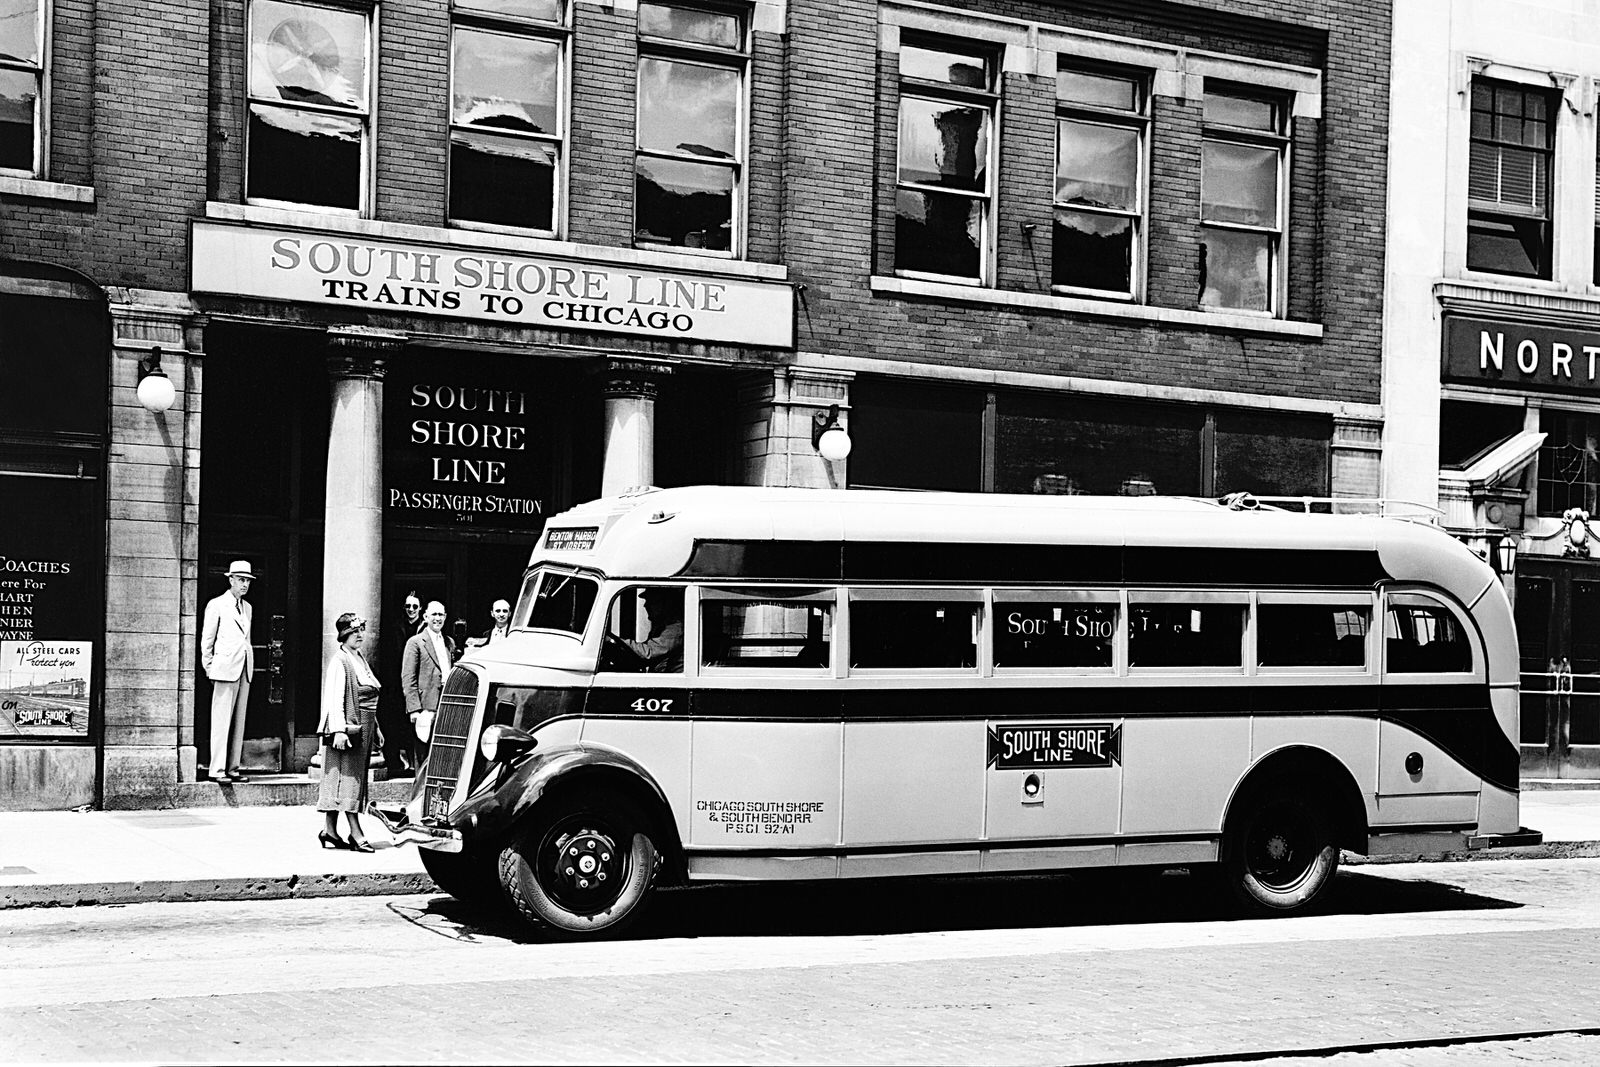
point(153, 554)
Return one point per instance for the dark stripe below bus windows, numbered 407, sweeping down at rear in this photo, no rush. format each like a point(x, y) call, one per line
point(1457, 719)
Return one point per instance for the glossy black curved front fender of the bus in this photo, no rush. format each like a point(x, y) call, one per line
point(497, 815)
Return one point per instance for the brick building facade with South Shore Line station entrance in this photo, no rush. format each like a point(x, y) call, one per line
point(1023, 247)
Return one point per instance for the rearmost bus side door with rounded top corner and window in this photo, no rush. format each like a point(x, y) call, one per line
point(1436, 729)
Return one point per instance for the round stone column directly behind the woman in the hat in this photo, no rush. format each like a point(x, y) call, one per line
point(353, 557)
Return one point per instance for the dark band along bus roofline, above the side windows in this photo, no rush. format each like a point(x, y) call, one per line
point(1030, 564)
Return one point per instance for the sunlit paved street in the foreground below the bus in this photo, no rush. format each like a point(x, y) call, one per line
point(1044, 970)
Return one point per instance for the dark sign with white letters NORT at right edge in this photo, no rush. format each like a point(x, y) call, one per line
point(1490, 353)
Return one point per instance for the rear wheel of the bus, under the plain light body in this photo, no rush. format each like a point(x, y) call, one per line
point(1281, 855)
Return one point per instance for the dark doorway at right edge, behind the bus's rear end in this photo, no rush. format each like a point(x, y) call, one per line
point(1559, 636)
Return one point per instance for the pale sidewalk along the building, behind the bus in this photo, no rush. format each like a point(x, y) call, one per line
point(68, 858)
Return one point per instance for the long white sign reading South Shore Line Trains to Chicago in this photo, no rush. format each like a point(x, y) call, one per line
point(489, 286)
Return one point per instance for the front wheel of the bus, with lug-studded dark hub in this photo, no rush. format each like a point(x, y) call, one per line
point(585, 869)
